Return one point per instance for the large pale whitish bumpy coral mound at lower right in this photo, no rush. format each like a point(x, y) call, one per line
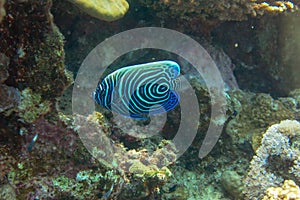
point(276, 159)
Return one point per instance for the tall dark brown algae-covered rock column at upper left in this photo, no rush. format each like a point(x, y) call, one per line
point(34, 47)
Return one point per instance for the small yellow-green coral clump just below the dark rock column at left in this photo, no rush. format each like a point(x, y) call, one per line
point(31, 106)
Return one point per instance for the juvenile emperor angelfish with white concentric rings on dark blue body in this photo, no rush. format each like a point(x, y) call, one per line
point(138, 90)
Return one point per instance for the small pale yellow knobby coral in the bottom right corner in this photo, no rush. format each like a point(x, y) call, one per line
point(288, 191)
